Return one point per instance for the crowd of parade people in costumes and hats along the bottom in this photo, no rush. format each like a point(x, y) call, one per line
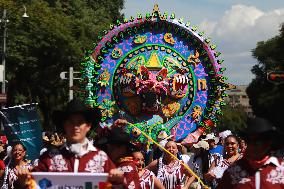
point(220, 160)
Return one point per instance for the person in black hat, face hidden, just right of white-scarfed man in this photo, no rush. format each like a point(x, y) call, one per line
point(119, 148)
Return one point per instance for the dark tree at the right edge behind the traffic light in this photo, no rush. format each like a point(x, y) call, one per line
point(267, 98)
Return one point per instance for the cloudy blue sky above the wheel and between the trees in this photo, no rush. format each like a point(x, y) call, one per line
point(235, 26)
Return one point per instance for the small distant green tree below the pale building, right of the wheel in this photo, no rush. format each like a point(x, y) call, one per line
point(234, 119)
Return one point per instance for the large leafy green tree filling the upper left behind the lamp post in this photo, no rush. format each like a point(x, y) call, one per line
point(53, 38)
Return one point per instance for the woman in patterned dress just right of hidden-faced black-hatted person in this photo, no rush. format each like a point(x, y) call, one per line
point(147, 178)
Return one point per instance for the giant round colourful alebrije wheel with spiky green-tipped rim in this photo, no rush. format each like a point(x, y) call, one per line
point(156, 72)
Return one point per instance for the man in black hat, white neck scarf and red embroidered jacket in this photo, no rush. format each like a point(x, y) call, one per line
point(78, 154)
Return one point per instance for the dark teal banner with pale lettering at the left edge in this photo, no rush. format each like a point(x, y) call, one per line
point(21, 124)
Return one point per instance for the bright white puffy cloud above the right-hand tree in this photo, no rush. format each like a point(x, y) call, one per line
point(245, 25)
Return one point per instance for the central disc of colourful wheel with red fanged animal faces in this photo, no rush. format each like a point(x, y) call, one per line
point(152, 79)
